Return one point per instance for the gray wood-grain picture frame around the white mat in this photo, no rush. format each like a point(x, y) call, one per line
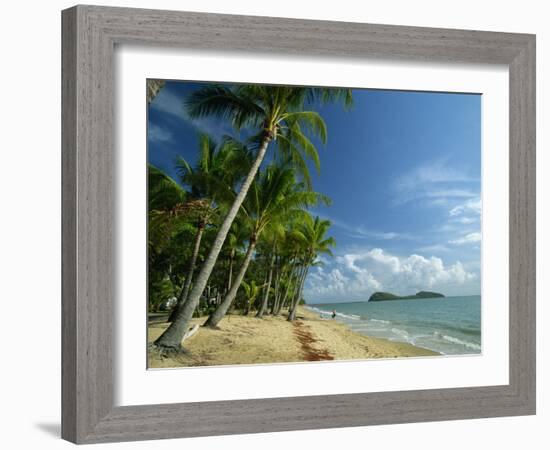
point(89, 36)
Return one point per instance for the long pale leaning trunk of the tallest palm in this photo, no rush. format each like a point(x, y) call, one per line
point(172, 337)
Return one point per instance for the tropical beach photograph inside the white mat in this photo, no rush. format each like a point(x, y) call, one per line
point(299, 224)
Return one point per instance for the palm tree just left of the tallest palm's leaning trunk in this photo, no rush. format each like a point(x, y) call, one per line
point(210, 181)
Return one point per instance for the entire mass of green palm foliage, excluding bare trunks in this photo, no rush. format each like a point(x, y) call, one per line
point(275, 210)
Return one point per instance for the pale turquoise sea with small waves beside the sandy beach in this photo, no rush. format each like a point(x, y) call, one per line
point(450, 325)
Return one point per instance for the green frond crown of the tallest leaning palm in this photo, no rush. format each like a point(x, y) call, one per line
point(277, 112)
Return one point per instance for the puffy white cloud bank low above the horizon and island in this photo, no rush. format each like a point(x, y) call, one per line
point(355, 276)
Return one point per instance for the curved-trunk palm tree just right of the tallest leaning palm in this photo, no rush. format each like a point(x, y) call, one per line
point(274, 198)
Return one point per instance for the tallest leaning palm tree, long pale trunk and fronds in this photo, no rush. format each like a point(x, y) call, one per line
point(277, 114)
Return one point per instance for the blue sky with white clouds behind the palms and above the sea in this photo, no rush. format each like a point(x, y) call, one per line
point(403, 171)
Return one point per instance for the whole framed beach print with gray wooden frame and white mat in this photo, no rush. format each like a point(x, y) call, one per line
point(264, 229)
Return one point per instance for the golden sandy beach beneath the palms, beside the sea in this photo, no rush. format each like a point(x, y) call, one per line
point(247, 340)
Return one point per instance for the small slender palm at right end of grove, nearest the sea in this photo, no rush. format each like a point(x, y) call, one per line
point(314, 242)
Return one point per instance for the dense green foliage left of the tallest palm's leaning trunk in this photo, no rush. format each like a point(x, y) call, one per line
point(175, 214)
